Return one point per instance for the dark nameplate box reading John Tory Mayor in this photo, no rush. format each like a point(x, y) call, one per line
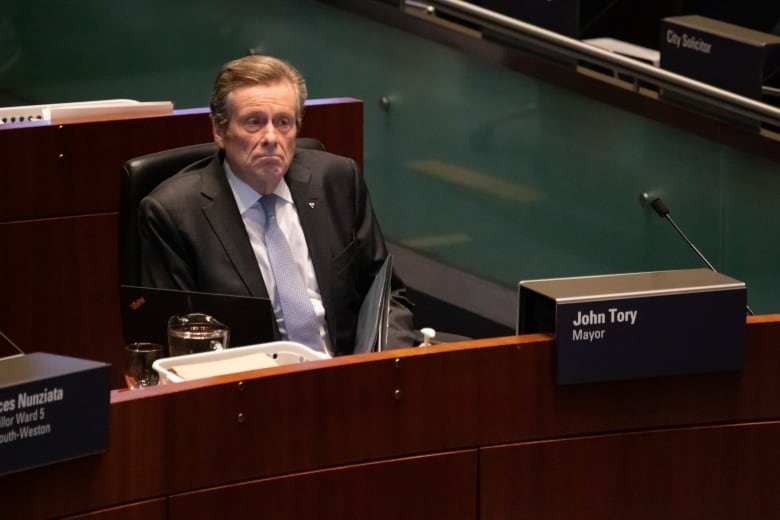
point(638, 325)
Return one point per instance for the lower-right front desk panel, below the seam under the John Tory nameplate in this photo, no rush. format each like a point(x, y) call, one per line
point(716, 472)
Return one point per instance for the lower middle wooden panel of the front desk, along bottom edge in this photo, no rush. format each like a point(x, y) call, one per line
point(425, 488)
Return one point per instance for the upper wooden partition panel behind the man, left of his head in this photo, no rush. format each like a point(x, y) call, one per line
point(74, 169)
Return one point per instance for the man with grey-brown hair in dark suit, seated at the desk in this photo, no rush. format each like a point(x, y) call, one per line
point(205, 229)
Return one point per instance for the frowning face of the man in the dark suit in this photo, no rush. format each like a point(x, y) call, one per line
point(259, 139)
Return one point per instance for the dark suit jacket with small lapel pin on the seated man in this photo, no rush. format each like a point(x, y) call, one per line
point(193, 238)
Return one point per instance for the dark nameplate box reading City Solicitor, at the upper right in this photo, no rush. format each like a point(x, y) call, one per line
point(720, 54)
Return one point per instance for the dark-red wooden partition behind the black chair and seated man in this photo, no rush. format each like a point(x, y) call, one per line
point(59, 201)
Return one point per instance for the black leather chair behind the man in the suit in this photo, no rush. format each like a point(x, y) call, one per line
point(140, 176)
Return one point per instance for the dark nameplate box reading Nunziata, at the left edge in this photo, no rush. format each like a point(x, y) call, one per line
point(52, 408)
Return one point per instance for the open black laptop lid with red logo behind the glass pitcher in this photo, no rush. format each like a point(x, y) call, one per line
point(145, 312)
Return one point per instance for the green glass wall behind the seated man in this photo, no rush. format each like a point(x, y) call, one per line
point(477, 166)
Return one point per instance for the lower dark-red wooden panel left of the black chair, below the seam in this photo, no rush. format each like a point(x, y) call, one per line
point(58, 278)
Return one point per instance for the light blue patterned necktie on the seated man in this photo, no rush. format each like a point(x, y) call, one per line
point(297, 311)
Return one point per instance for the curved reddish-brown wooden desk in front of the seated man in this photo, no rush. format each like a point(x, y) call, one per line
point(467, 430)
